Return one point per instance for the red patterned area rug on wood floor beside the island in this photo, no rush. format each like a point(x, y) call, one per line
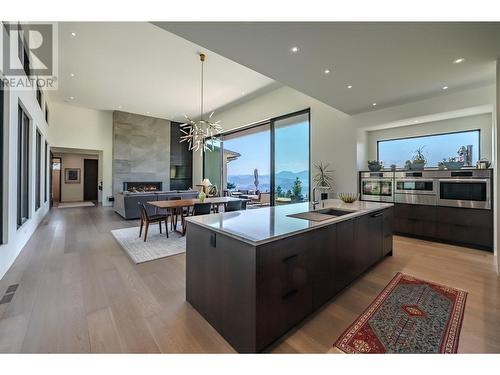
point(409, 316)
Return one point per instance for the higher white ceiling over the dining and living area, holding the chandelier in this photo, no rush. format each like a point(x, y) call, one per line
point(140, 68)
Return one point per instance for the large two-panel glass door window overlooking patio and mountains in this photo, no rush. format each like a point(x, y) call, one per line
point(268, 162)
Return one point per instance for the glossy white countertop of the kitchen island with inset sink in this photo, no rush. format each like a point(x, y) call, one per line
point(261, 225)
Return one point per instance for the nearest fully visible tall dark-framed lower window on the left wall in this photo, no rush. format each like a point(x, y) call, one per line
point(23, 167)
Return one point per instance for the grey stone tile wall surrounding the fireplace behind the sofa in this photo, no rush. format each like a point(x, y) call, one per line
point(141, 149)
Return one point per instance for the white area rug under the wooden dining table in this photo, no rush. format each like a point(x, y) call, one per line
point(157, 245)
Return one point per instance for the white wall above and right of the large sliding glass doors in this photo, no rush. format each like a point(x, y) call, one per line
point(332, 139)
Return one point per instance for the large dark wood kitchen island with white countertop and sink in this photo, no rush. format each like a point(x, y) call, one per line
point(255, 274)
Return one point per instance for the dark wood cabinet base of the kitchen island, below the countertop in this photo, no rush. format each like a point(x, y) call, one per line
point(253, 294)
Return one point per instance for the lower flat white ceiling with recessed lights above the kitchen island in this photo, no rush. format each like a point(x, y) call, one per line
point(386, 63)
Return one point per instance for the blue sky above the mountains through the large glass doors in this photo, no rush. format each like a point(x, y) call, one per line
point(292, 151)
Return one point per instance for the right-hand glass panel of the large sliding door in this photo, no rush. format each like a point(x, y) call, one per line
point(291, 159)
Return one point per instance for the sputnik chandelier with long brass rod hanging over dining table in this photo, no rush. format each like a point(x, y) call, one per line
point(202, 133)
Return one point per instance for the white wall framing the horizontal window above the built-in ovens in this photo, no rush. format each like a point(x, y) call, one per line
point(482, 122)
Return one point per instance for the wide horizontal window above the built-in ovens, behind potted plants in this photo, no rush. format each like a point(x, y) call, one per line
point(434, 147)
